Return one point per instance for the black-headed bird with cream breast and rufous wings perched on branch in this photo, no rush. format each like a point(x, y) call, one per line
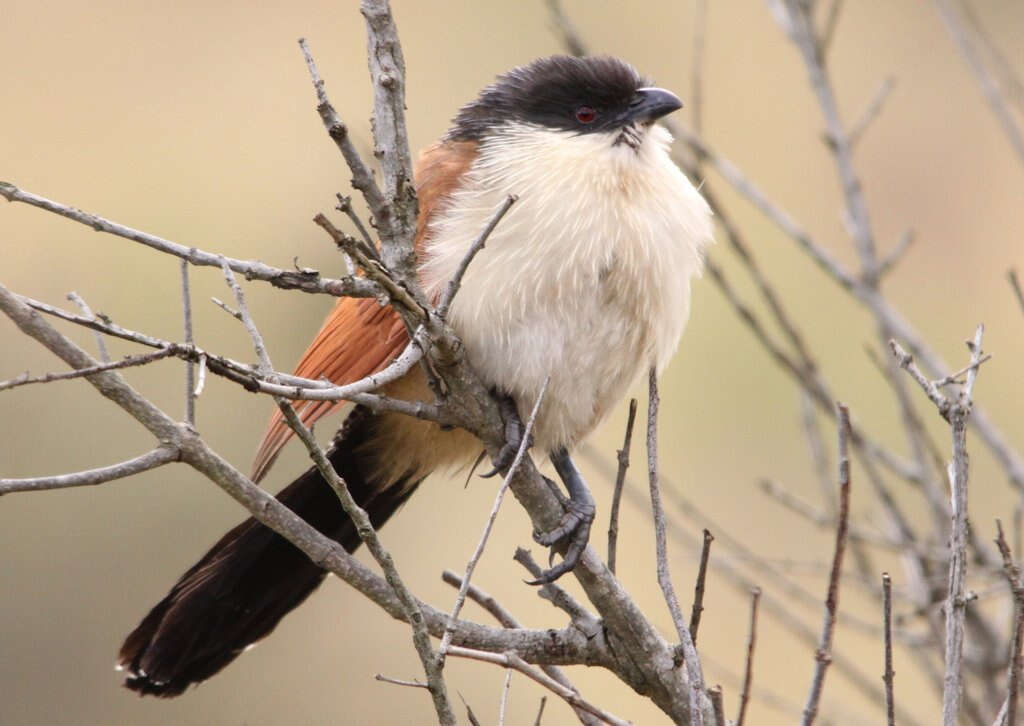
point(584, 285)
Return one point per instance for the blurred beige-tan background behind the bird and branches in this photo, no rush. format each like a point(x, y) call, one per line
point(197, 122)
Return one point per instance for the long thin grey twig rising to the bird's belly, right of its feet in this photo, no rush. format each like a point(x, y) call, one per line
point(697, 685)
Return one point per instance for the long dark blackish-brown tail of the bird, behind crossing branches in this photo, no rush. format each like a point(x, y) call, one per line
point(252, 578)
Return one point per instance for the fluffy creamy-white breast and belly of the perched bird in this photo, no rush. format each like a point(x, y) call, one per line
point(587, 280)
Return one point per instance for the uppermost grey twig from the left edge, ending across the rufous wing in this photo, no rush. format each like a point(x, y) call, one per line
point(309, 281)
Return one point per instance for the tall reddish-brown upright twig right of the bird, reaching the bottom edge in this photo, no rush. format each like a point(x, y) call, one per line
point(824, 656)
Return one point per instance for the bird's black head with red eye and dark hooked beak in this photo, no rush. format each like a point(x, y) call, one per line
point(589, 96)
